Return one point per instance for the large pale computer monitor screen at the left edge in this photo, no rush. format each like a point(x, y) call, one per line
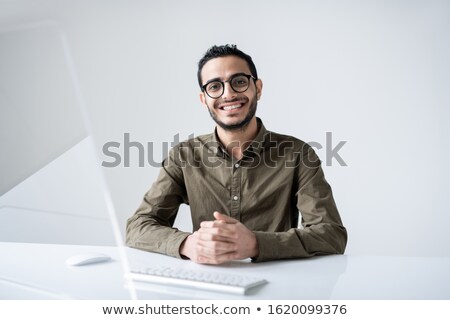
point(50, 185)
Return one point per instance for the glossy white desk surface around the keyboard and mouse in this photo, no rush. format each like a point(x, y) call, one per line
point(38, 271)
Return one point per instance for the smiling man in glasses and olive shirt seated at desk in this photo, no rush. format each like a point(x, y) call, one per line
point(245, 185)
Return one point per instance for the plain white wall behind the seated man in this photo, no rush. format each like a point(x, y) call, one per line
point(374, 73)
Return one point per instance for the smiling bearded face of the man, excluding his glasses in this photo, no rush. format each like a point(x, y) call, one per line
point(233, 110)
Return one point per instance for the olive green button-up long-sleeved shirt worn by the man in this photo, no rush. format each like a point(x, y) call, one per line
point(278, 177)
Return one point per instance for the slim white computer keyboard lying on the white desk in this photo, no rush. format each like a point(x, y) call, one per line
point(196, 279)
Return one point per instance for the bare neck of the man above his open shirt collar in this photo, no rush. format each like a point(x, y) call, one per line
point(237, 141)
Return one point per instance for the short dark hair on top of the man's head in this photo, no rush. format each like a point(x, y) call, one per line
point(223, 51)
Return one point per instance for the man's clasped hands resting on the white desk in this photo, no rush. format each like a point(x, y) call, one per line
point(219, 241)
